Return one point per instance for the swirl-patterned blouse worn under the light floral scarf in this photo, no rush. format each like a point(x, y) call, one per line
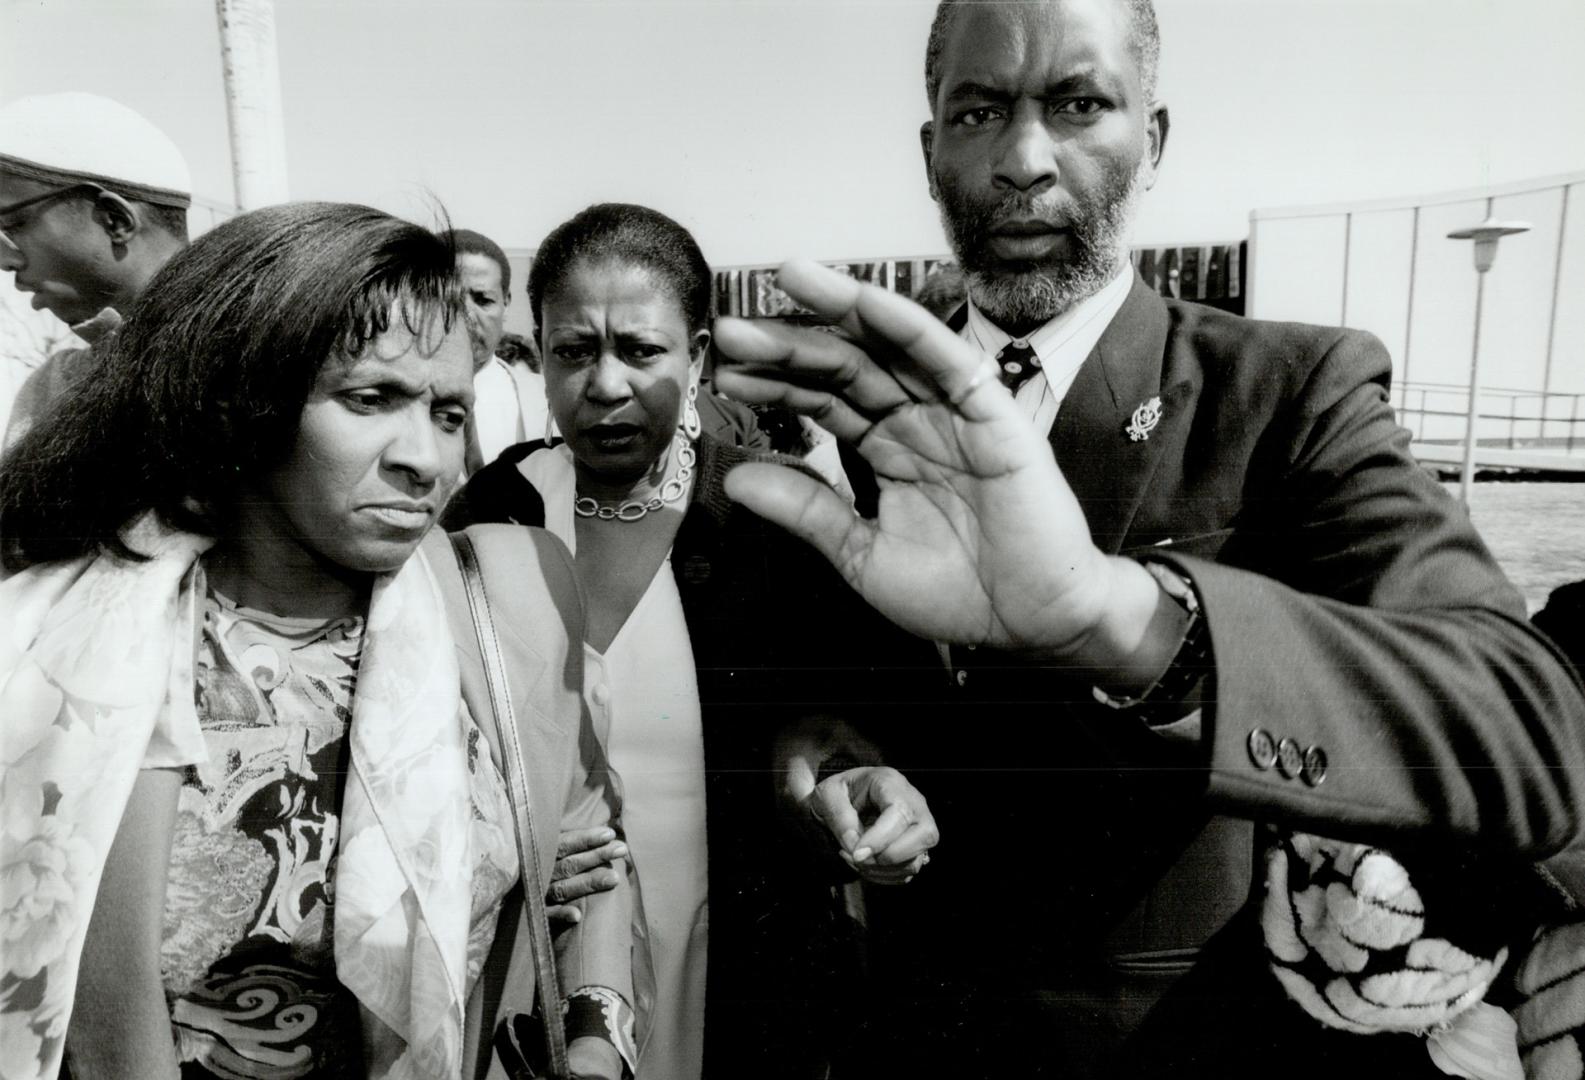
point(248, 954)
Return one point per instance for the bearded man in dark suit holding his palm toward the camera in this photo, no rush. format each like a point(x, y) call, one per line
point(1190, 583)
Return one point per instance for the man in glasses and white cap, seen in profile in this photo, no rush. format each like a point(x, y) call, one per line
point(93, 204)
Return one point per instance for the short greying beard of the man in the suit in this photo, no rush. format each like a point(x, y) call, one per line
point(1045, 293)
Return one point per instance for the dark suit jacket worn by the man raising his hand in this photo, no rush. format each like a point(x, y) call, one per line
point(1351, 608)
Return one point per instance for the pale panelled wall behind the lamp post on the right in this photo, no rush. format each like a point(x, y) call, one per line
point(1388, 267)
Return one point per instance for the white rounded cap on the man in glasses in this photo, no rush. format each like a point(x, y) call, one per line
point(67, 139)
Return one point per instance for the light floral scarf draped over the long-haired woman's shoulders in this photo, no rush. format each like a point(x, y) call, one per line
point(97, 683)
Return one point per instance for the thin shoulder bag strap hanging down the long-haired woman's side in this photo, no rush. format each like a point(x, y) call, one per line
point(518, 792)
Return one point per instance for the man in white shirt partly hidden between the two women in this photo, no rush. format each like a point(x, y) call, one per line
point(487, 288)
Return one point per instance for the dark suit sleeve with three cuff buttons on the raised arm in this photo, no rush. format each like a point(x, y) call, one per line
point(1381, 634)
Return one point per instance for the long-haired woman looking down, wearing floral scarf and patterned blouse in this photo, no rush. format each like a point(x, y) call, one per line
point(258, 821)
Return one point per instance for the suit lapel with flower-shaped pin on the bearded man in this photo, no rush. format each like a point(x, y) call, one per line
point(1107, 470)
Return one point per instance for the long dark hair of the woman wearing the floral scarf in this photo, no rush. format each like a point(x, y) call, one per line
point(205, 383)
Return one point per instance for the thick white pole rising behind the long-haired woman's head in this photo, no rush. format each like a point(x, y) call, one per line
point(253, 101)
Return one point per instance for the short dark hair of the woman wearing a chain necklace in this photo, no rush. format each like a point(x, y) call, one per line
point(625, 234)
